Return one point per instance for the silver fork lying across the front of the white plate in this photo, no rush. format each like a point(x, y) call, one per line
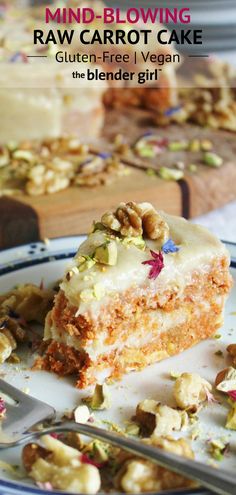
point(218, 481)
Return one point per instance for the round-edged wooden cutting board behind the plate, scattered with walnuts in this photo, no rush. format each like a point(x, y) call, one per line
point(26, 219)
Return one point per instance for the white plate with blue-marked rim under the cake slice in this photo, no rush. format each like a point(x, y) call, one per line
point(36, 261)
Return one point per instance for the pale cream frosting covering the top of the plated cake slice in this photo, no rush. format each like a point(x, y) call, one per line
point(198, 248)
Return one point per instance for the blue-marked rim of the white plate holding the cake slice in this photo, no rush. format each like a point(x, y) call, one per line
point(28, 255)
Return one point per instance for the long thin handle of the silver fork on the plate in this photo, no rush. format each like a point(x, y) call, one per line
point(221, 482)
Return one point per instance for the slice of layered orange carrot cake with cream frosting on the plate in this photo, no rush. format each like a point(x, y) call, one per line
point(143, 286)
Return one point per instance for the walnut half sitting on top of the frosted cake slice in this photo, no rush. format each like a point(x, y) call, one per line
point(134, 220)
